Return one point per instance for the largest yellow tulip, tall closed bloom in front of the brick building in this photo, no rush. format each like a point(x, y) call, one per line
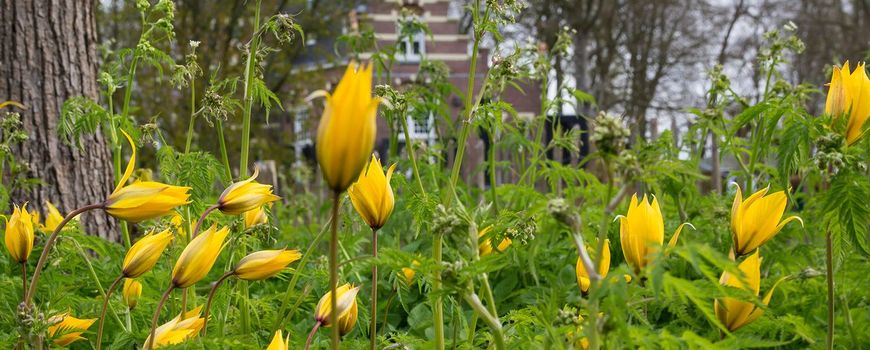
point(347, 129)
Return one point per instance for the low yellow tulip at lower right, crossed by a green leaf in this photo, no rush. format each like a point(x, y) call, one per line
point(734, 313)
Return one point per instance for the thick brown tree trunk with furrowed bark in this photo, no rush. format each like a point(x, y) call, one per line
point(47, 55)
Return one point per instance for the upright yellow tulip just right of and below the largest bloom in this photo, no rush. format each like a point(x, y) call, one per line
point(372, 195)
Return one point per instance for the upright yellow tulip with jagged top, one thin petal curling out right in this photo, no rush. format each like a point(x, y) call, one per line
point(642, 232)
